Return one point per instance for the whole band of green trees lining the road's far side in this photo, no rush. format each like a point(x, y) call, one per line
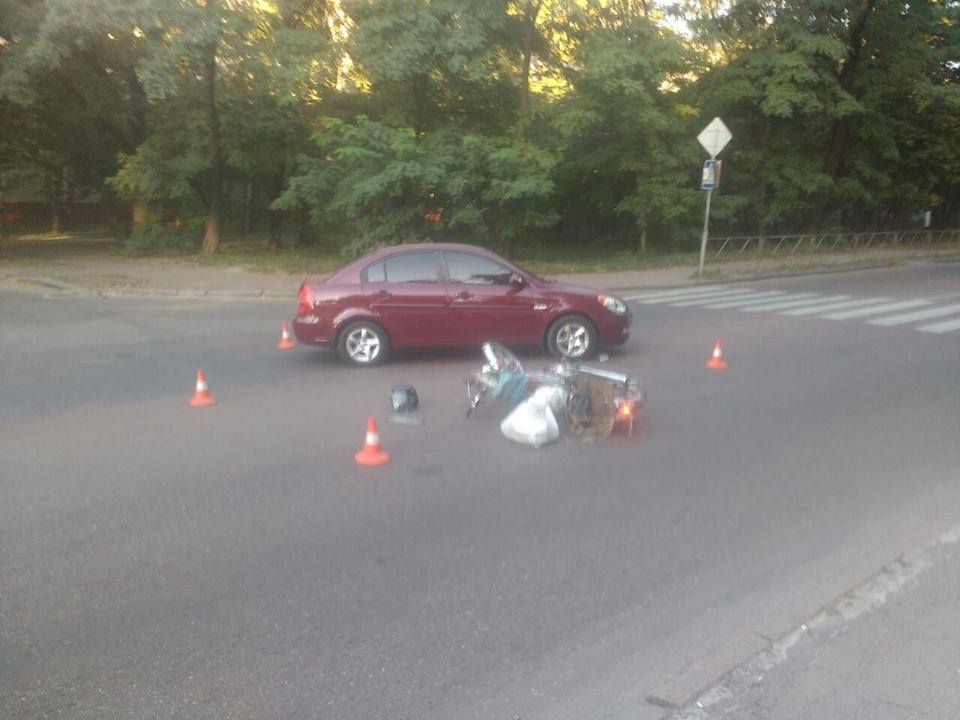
point(498, 121)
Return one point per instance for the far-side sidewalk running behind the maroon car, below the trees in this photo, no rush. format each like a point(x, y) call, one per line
point(110, 276)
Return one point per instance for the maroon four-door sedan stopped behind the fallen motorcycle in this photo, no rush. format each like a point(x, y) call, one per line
point(442, 295)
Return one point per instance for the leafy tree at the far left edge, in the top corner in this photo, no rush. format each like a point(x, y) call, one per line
point(71, 92)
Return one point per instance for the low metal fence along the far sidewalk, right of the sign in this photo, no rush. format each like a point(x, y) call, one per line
point(787, 245)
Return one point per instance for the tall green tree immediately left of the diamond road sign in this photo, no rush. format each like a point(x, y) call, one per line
point(630, 152)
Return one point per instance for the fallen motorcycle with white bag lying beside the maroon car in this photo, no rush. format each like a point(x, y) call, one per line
point(590, 402)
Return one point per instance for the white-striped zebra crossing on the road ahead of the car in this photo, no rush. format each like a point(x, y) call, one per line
point(929, 315)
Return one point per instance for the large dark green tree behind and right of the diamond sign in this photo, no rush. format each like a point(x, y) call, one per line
point(827, 93)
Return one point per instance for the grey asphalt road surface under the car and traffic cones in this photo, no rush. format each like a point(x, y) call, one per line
point(233, 562)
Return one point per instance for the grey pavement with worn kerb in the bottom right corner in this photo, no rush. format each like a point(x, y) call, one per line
point(890, 650)
